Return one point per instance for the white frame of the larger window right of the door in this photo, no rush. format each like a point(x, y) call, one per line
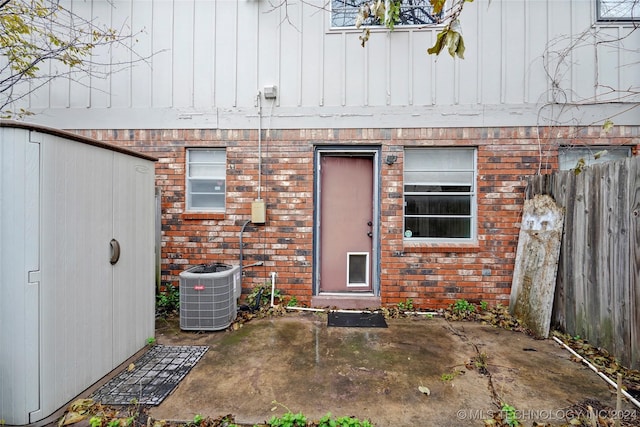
point(443, 169)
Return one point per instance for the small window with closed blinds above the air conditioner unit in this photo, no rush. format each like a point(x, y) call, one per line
point(206, 179)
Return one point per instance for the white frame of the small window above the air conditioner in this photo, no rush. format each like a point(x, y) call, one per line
point(190, 180)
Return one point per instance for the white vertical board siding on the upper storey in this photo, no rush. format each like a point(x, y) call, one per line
point(213, 57)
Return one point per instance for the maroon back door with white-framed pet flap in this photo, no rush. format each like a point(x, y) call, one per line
point(346, 217)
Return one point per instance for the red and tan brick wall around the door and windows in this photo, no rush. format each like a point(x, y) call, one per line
point(432, 275)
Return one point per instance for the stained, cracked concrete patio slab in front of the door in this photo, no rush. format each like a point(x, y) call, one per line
point(374, 373)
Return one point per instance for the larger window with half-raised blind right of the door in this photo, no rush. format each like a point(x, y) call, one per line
point(440, 194)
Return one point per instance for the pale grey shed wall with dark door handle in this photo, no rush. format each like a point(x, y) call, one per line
point(68, 315)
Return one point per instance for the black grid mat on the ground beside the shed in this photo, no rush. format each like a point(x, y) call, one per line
point(154, 375)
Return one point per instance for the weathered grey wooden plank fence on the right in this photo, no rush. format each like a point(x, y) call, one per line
point(598, 282)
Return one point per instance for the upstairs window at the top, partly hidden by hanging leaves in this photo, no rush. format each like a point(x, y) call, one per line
point(416, 12)
